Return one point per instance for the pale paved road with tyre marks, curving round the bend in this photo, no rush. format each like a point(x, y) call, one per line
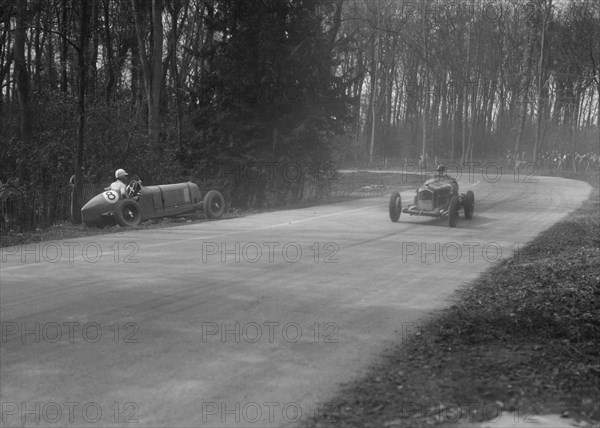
point(244, 322)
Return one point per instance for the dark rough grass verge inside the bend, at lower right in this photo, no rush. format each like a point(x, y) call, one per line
point(523, 337)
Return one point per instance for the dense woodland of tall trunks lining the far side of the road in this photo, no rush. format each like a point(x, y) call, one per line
point(171, 89)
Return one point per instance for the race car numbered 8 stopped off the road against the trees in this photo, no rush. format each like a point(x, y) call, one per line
point(140, 203)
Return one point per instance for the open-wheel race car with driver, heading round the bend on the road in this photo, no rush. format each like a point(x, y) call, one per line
point(437, 197)
